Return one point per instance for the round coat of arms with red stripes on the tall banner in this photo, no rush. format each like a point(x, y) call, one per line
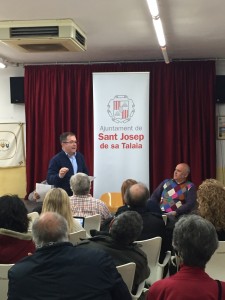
point(121, 109)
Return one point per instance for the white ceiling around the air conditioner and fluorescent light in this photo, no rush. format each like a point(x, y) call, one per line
point(122, 30)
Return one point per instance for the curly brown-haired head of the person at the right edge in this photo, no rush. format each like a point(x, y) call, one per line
point(211, 200)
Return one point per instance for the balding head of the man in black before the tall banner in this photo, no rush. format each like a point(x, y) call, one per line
point(137, 195)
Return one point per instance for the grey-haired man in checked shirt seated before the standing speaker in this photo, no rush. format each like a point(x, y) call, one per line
point(82, 203)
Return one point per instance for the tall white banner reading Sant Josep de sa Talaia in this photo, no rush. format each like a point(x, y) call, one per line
point(121, 130)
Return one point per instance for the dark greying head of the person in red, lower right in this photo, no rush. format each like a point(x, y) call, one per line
point(195, 240)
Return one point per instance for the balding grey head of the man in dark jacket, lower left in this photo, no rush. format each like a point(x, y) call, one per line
point(50, 228)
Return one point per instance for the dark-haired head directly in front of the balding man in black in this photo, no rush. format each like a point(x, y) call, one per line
point(126, 227)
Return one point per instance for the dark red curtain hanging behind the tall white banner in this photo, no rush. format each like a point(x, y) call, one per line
point(182, 115)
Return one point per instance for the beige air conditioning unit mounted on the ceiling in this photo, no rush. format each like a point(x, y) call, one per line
point(61, 35)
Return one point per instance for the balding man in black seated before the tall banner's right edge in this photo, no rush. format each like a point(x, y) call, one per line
point(136, 197)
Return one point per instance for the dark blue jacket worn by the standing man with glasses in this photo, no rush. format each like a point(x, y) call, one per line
point(59, 161)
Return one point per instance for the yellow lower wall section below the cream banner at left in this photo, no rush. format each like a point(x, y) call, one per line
point(13, 181)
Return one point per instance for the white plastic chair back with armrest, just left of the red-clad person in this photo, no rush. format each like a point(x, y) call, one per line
point(152, 248)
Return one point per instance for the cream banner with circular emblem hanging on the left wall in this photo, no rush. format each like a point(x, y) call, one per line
point(11, 145)
